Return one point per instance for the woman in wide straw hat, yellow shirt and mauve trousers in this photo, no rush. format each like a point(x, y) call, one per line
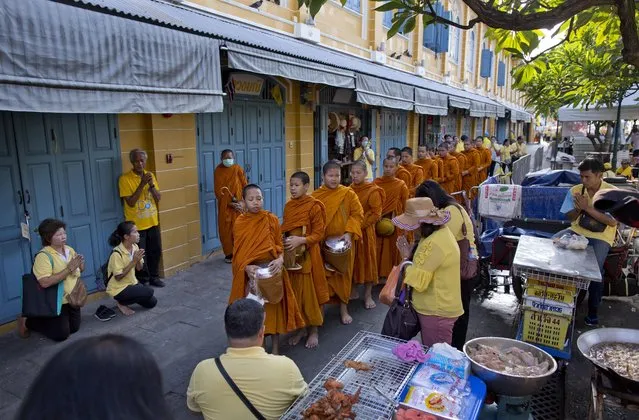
point(434, 274)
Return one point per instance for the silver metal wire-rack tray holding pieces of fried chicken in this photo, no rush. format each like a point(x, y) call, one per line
point(389, 375)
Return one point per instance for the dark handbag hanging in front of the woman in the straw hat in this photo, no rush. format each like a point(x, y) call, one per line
point(402, 320)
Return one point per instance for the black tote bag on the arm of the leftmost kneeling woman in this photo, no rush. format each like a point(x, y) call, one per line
point(40, 302)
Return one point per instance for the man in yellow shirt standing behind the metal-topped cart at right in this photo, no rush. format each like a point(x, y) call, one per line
point(577, 205)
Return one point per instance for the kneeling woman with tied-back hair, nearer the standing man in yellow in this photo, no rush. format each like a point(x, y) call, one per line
point(124, 260)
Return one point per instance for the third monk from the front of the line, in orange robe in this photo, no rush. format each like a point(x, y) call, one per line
point(344, 215)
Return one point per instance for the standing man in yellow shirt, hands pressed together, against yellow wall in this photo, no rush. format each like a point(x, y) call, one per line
point(140, 193)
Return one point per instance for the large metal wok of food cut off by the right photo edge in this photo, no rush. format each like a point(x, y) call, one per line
point(610, 335)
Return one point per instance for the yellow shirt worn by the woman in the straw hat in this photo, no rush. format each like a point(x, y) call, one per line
point(435, 276)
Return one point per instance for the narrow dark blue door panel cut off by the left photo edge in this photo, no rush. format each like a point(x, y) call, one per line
point(15, 257)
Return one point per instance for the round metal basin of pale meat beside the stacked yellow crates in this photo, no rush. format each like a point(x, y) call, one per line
point(504, 383)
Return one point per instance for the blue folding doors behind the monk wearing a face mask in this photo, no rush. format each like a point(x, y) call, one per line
point(255, 133)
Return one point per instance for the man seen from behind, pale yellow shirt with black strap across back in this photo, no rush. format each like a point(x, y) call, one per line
point(269, 383)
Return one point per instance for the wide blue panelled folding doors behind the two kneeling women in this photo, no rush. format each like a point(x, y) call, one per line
point(68, 169)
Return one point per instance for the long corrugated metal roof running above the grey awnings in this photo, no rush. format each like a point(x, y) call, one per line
point(192, 20)
